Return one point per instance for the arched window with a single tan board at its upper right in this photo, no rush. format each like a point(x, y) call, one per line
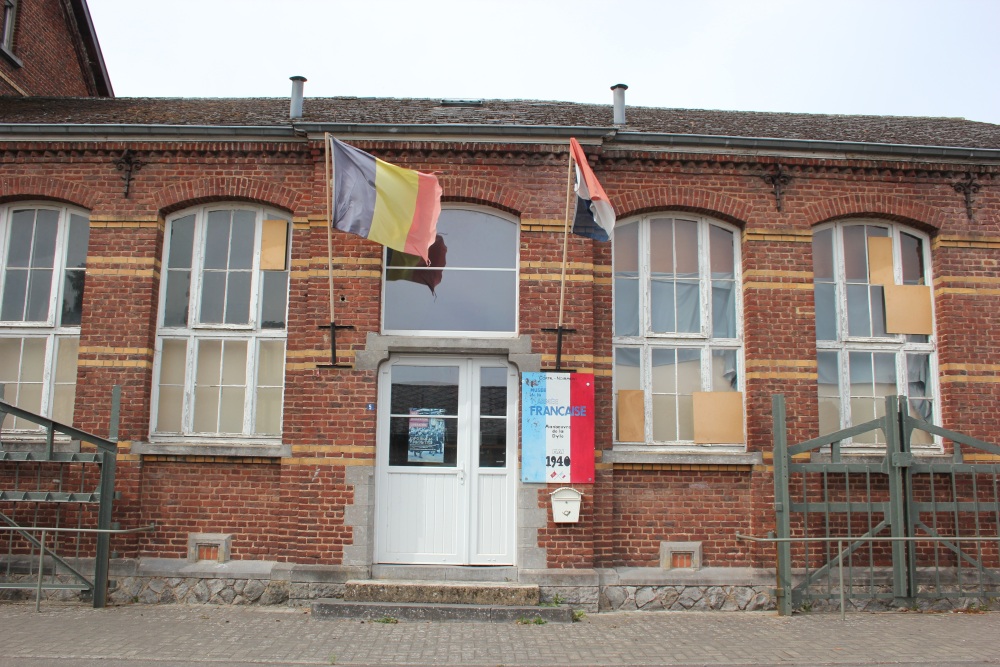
point(220, 350)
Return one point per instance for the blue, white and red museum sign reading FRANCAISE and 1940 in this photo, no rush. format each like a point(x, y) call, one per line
point(557, 427)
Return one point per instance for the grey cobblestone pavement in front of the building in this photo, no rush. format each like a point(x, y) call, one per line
point(175, 635)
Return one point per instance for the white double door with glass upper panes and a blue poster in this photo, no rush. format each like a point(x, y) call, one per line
point(447, 461)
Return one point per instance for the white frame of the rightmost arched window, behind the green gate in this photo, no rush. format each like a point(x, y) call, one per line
point(896, 344)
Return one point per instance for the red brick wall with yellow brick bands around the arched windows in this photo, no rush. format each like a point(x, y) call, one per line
point(292, 509)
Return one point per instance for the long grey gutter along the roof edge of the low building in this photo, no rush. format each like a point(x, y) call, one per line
point(607, 135)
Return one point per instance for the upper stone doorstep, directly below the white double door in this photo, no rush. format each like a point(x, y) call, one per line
point(442, 592)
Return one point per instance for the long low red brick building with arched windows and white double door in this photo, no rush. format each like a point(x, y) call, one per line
point(138, 246)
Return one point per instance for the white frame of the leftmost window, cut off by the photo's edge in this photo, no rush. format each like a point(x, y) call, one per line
point(51, 329)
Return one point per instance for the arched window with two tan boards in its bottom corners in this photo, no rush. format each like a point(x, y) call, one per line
point(678, 331)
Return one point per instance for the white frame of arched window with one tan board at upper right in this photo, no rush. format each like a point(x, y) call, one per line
point(196, 332)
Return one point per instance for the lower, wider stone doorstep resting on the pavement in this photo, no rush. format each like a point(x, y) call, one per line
point(393, 611)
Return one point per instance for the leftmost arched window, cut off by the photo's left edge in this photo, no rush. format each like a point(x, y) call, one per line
point(43, 254)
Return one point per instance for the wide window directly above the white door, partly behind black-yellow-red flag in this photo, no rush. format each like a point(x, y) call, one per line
point(470, 288)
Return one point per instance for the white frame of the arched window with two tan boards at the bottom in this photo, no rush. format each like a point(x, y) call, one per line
point(647, 341)
